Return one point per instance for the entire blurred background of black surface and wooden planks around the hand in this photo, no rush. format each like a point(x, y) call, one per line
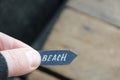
point(90, 28)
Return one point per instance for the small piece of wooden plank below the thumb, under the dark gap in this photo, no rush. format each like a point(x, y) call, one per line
point(37, 75)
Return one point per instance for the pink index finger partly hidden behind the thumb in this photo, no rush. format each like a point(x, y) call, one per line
point(7, 42)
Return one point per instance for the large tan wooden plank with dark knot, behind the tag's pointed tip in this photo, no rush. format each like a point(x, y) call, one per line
point(96, 43)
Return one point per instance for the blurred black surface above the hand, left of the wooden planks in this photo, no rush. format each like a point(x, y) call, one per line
point(25, 19)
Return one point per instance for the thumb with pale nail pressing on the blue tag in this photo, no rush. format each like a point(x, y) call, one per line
point(21, 61)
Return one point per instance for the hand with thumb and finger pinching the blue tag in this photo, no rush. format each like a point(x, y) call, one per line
point(20, 57)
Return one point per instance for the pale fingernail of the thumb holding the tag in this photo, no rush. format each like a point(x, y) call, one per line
point(33, 58)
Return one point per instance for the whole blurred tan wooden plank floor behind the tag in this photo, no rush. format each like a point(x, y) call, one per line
point(90, 29)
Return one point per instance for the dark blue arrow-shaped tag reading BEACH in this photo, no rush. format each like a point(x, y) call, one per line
point(56, 57)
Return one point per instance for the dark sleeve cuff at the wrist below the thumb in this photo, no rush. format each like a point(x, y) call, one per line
point(3, 68)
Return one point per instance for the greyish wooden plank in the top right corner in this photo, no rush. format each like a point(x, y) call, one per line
point(107, 10)
